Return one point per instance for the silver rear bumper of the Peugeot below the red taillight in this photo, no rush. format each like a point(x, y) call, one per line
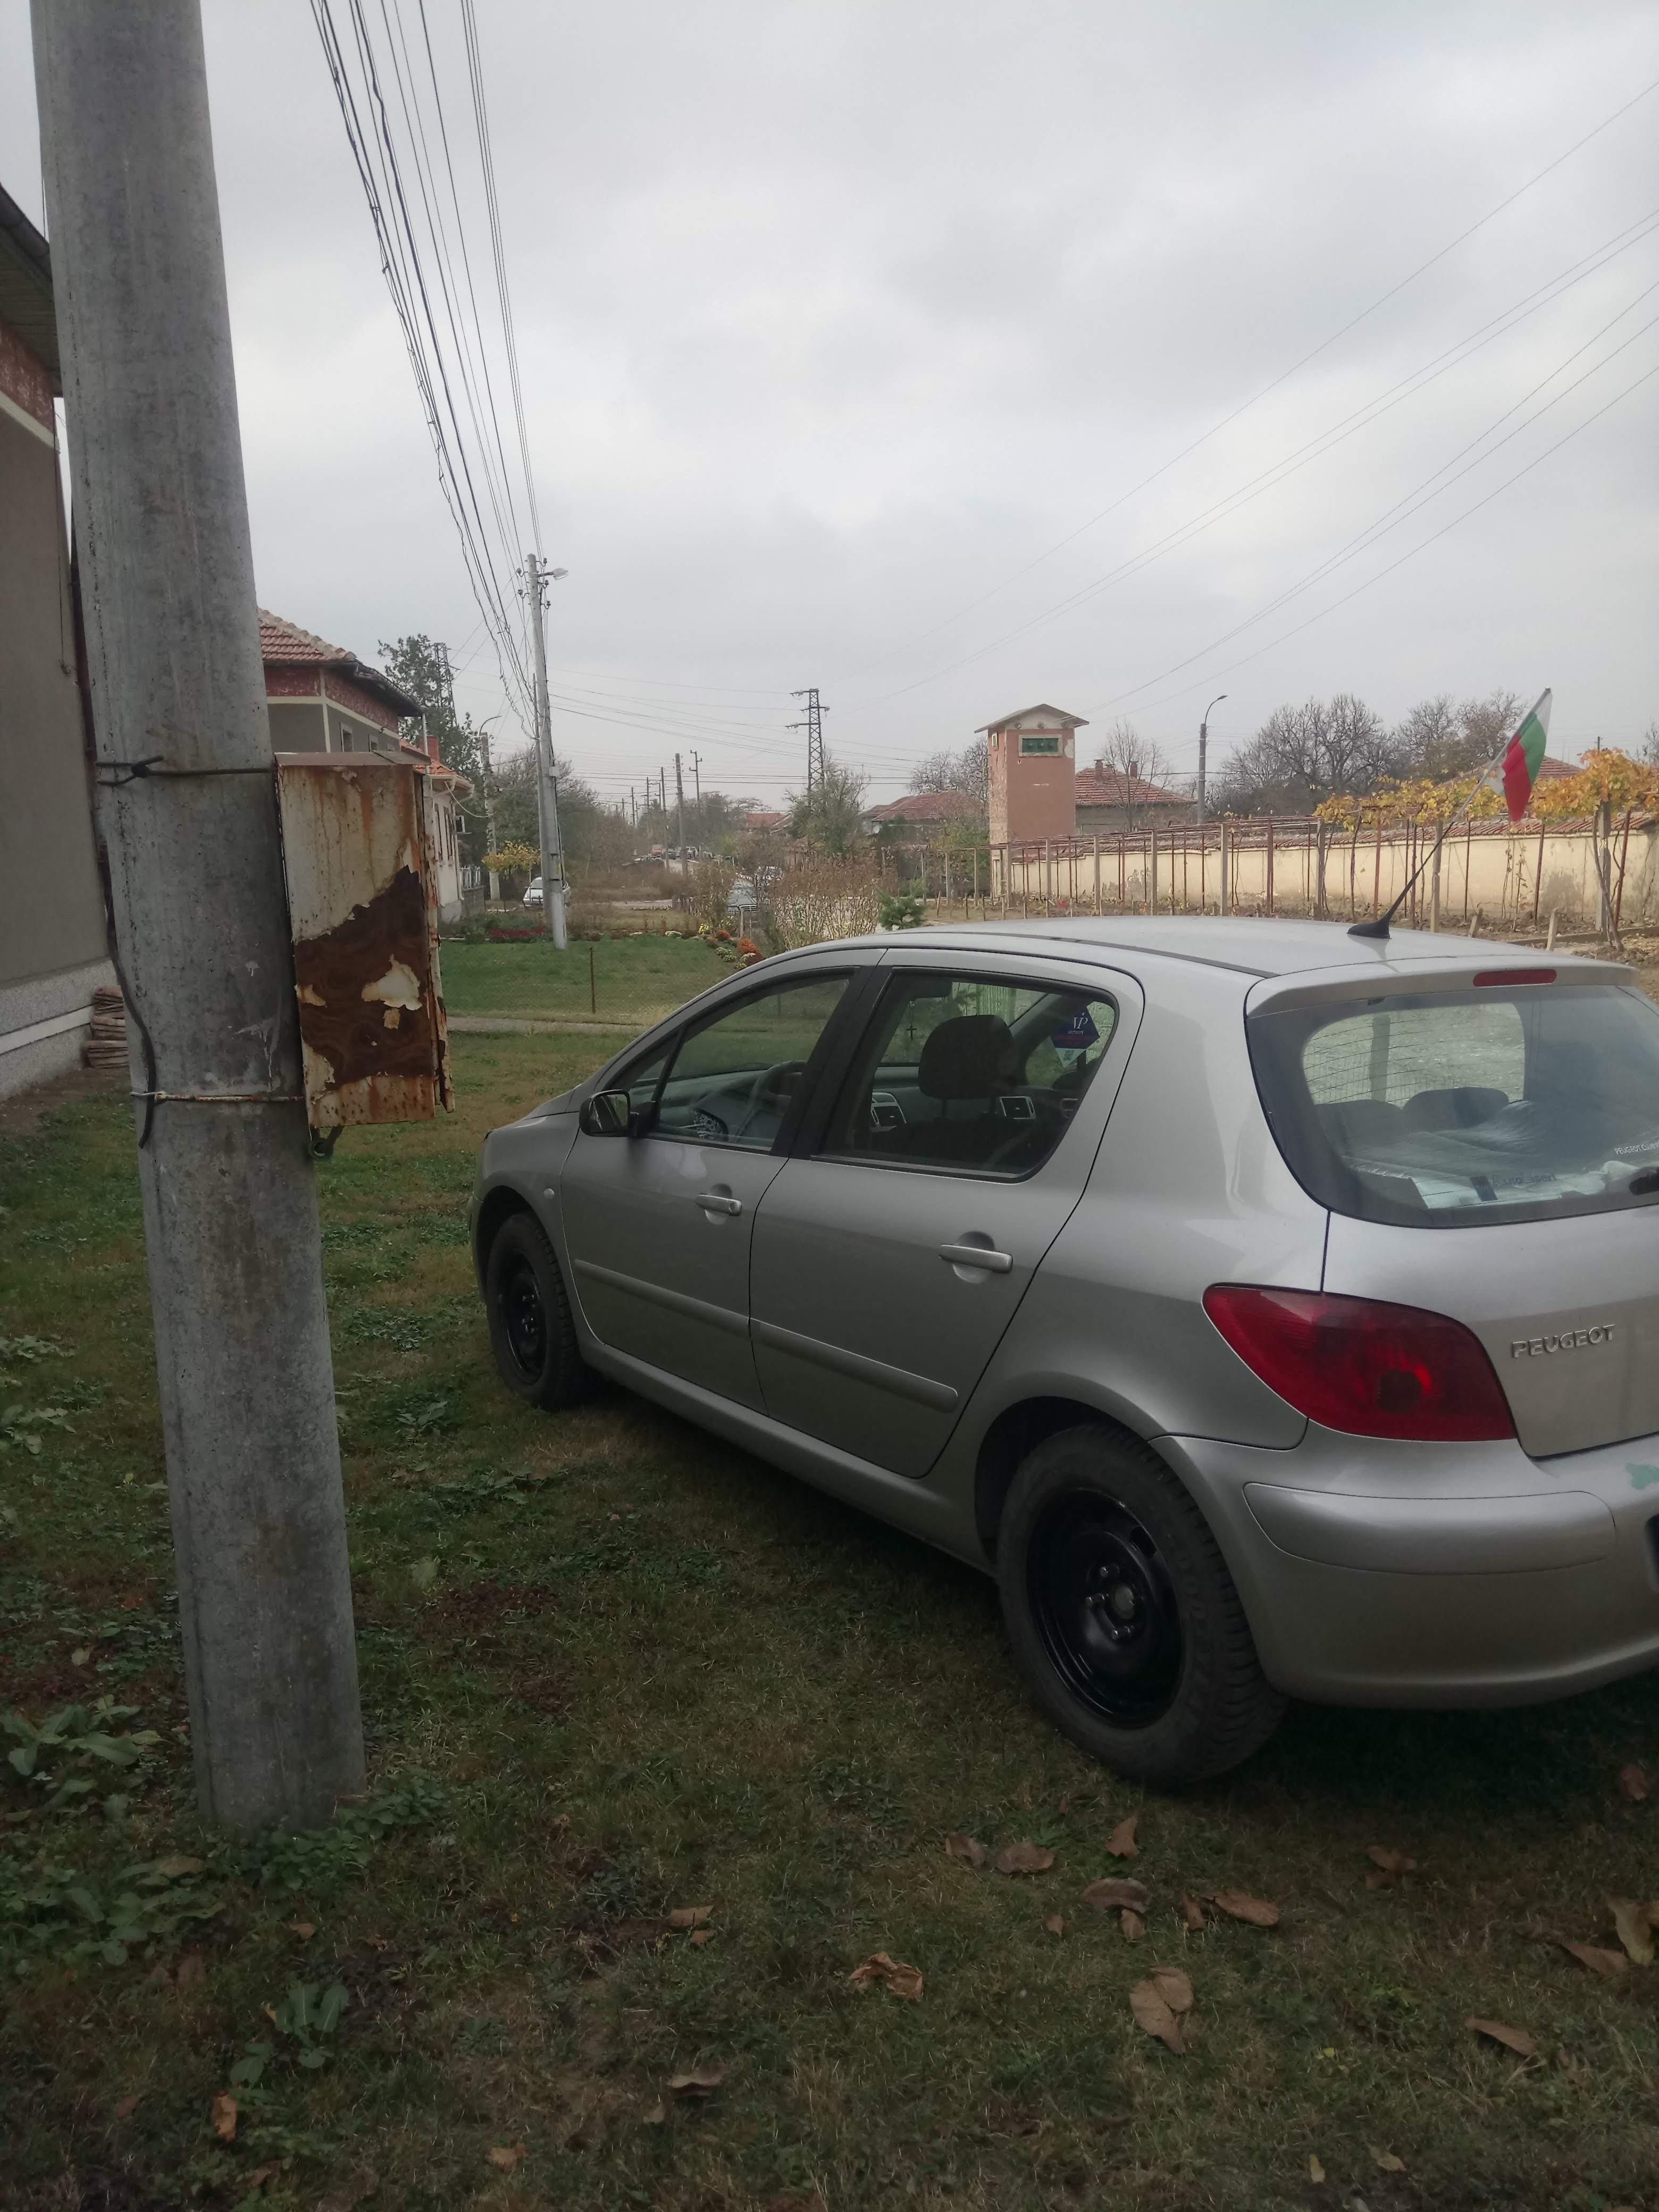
point(1437, 1576)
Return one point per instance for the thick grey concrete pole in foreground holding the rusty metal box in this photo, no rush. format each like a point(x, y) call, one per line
point(200, 912)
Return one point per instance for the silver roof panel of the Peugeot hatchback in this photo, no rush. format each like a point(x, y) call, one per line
point(1269, 948)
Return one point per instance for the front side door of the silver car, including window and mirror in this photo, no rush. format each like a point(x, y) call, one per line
point(658, 1224)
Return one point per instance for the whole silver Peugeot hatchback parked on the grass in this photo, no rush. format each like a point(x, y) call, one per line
point(1273, 1313)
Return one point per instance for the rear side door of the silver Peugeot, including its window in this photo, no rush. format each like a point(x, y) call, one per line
point(895, 1249)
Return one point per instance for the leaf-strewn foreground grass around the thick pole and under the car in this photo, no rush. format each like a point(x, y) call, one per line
point(612, 1671)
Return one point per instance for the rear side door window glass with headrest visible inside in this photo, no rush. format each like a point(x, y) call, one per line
point(970, 1074)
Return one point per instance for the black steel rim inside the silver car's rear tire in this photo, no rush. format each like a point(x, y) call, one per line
point(1105, 1609)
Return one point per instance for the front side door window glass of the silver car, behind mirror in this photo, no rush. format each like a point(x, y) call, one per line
point(735, 1076)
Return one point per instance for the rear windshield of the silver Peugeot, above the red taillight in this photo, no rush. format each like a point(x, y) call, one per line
point(1468, 1107)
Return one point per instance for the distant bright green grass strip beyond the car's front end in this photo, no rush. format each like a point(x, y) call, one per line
point(636, 979)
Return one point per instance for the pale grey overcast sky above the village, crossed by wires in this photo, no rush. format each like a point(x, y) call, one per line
point(851, 331)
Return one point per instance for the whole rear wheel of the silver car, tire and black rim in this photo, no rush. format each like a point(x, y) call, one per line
point(1123, 1616)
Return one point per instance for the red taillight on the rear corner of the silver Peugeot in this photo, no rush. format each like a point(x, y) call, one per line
point(1364, 1366)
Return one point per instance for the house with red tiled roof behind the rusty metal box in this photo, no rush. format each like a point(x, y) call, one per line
point(324, 698)
